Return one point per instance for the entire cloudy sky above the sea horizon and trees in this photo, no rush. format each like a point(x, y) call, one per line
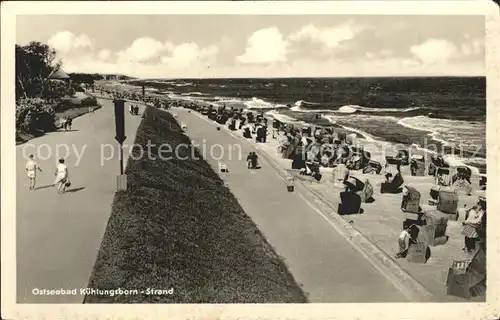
point(222, 46)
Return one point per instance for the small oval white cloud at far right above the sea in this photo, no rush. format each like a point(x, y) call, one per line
point(434, 51)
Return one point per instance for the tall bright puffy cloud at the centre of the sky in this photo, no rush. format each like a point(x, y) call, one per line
point(265, 46)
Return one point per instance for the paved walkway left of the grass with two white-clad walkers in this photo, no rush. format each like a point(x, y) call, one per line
point(58, 236)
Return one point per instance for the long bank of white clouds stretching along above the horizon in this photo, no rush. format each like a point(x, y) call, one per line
point(268, 53)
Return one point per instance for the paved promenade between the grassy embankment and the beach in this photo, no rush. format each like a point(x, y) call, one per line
point(328, 267)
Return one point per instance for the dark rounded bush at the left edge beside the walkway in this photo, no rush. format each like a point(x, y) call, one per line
point(34, 116)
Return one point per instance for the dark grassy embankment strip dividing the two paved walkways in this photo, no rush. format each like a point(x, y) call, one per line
point(177, 226)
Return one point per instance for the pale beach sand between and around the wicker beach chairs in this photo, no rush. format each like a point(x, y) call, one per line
point(382, 220)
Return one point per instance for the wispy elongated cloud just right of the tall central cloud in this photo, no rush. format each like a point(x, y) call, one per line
point(329, 37)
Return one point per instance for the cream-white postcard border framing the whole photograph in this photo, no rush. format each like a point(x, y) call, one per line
point(10, 310)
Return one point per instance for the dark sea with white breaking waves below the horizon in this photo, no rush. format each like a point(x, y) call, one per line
point(445, 113)
